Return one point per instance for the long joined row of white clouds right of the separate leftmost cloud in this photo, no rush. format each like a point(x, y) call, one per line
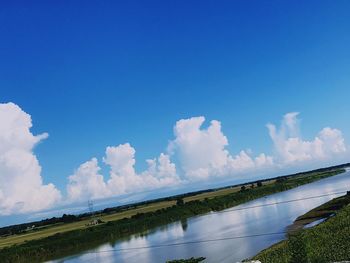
point(201, 153)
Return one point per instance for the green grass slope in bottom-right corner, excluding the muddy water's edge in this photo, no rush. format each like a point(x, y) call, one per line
point(327, 242)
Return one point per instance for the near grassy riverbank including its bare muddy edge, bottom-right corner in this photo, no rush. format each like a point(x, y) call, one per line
point(326, 242)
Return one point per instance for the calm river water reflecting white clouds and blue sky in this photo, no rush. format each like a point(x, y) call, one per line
point(220, 225)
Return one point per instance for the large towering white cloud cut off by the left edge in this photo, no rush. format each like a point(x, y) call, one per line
point(21, 185)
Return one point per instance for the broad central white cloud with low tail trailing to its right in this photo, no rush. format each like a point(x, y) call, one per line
point(202, 152)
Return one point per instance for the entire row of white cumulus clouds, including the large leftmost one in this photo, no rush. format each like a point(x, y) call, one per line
point(195, 154)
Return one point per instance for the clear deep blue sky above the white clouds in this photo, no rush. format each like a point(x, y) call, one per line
point(94, 75)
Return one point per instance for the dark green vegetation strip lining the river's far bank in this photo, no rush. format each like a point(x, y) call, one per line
point(81, 239)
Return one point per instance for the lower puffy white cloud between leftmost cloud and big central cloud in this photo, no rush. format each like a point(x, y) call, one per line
point(87, 182)
